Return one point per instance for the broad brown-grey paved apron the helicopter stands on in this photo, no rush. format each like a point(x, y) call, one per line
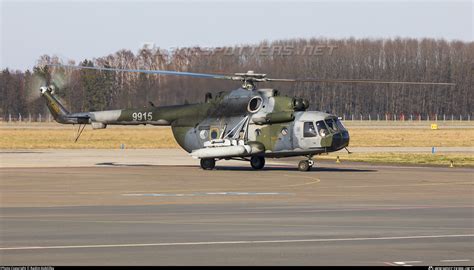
point(123, 211)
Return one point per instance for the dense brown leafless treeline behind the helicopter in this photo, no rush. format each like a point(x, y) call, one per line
point(426, 60)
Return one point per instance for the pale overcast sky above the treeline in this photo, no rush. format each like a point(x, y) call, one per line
point(87, 29)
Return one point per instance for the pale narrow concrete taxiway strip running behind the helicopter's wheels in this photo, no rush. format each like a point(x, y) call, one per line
point(93, 157)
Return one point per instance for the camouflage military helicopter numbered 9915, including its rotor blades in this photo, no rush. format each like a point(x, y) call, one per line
point(247, 123)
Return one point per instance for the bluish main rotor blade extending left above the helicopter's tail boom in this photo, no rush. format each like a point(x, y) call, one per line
point(159, 72)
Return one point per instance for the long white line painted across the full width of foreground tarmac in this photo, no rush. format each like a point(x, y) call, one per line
point(241, 242)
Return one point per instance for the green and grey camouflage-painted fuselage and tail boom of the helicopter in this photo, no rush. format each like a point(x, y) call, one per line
point(275, 127)
